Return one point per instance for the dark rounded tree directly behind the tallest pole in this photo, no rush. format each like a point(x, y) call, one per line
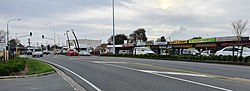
point(119, 39)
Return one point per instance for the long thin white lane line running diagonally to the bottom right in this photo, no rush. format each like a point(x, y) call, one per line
point(180, 79)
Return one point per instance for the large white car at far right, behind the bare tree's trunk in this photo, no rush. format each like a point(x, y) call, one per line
point(229, 51)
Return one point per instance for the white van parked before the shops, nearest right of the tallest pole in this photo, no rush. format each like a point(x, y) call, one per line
point(142, 50)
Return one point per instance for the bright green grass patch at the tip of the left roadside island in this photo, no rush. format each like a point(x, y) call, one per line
point(37, 67)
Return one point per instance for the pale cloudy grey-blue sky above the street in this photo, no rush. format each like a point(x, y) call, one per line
point(92, 19)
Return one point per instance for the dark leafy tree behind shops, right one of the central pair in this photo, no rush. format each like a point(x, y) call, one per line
point(138, 36)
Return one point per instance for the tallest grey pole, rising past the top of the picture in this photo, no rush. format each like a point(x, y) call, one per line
point(113, 8)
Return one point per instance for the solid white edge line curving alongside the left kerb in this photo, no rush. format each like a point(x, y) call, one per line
point(91, 84)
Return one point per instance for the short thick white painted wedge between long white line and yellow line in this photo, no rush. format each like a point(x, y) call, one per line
point(174, 73)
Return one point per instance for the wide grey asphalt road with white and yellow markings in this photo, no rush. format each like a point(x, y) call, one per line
point(133, 74)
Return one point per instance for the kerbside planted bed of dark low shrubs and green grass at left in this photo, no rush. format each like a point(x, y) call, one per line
point(25, 66)
